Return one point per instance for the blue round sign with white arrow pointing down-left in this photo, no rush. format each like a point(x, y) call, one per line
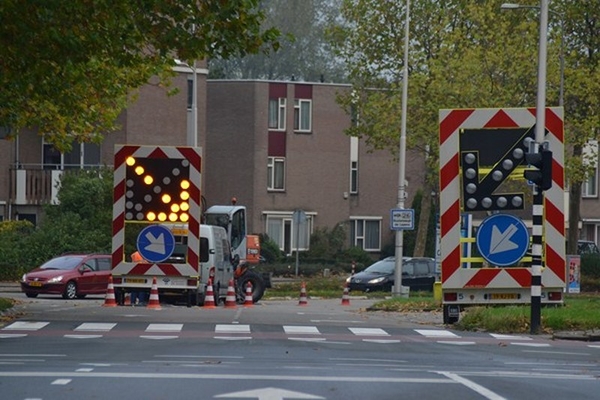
point(502, 239)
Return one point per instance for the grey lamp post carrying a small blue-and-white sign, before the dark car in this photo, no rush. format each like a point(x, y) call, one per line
point(402, 163)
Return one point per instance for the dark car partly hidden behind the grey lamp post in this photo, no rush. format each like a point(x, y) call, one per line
point(418, 273)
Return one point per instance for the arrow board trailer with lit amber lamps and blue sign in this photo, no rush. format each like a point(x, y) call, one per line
point(155, 186)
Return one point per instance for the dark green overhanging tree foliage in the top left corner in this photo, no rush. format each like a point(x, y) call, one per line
point(68, 68)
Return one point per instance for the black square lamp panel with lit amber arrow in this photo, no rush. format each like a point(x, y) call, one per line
point(157, 190)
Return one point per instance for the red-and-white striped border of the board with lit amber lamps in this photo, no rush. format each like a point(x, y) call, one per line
point(119, 265)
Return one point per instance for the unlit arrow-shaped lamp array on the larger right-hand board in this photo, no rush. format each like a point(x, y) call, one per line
point(478, 194)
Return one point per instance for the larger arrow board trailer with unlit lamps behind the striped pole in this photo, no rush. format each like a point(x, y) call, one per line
point(482, 158)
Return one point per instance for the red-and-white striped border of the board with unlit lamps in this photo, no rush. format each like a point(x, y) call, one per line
point(454, 276)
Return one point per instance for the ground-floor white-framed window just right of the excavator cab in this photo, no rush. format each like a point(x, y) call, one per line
point(283, 230)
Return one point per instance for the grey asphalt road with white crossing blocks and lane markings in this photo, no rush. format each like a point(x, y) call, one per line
point(57, 349)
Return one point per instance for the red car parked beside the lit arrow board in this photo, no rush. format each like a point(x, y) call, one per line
point(72, 276)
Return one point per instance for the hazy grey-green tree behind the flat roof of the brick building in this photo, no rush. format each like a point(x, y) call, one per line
point(304, 54)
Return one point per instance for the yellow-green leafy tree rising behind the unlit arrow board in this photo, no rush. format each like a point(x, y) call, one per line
point(462, 54)
